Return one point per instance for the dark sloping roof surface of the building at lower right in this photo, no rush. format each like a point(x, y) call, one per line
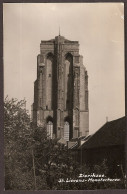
point(111, 133)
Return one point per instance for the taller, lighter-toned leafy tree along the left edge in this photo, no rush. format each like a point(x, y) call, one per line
point(18, 160)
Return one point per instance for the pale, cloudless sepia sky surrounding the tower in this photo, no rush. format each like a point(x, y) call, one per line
point(99, 28)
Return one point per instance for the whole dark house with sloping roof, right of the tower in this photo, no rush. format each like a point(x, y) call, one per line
point(108, 143)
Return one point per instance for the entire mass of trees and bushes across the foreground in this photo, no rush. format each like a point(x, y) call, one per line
point(35, 162)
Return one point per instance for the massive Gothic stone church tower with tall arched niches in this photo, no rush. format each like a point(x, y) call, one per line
point(61, 90)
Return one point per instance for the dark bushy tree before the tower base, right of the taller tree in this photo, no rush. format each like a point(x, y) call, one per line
point(52, 160)
